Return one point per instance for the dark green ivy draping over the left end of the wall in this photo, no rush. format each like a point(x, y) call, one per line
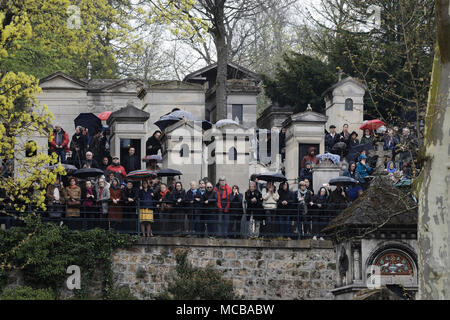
point(44, 251)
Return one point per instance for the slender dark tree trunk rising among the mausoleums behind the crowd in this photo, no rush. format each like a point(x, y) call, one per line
point(222, 62)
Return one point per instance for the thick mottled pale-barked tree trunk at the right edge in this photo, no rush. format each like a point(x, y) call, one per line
point(434, 181)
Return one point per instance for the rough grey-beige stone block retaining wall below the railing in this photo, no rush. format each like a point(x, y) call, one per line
point(303, 269)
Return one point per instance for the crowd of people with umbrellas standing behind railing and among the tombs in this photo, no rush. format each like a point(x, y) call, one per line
point(206, 208)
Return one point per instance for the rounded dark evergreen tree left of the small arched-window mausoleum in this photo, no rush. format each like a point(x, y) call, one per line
point(299, 81)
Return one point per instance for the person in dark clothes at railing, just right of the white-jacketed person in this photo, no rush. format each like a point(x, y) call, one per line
point(285, 204)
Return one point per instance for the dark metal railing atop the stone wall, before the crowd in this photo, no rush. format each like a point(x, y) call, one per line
point(295, 222)
